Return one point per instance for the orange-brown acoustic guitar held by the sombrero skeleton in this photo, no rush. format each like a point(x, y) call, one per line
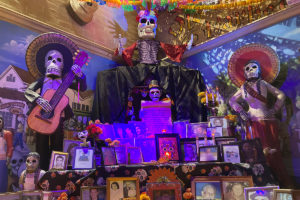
point(47, 122)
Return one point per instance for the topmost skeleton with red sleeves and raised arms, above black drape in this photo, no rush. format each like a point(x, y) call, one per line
point(147, 46)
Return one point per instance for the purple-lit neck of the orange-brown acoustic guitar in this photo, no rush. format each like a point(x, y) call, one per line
point(62, 89)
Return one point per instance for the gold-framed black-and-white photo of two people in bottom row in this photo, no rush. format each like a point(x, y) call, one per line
point(122, 188)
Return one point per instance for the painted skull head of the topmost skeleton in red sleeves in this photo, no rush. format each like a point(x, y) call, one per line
point(147, 24)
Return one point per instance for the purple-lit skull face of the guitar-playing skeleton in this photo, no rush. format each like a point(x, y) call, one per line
point(54, 63)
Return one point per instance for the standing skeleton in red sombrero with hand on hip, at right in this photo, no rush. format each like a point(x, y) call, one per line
point(252, 68)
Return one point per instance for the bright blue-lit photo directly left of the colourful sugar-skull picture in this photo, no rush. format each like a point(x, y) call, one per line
point(148, 148)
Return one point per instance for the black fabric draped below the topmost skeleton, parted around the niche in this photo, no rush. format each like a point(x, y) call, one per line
point(181, 83)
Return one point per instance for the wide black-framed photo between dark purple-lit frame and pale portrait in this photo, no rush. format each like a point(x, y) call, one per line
point(208, 154)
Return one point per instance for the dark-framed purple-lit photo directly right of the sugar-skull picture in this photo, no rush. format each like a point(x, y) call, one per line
point(188, 150)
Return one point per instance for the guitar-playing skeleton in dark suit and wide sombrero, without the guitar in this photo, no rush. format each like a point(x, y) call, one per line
point(49, 57)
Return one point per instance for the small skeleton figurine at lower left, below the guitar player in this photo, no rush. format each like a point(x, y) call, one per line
point(30, 177)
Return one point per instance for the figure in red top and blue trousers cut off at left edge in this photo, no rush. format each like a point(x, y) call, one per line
point(6, 150)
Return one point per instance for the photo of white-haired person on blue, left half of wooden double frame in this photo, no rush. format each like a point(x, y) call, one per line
point(208, 190)
